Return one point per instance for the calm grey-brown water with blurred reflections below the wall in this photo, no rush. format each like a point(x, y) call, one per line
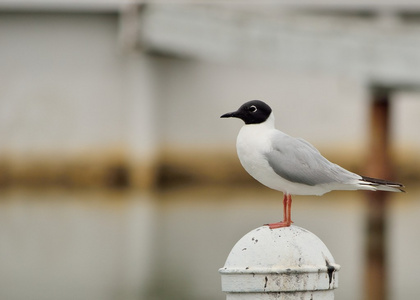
point(100, 245)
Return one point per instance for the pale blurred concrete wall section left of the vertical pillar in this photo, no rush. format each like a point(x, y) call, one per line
point(62, 87)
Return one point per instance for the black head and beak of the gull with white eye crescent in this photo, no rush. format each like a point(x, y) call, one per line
point(251, 112)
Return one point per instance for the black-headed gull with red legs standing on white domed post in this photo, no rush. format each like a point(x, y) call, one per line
point(291, 165)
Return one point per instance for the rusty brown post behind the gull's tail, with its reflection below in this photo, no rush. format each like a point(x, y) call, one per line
point(378, 166)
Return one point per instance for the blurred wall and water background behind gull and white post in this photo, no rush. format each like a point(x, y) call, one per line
point(118, 180)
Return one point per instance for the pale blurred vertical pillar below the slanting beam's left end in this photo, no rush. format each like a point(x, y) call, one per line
point(141, 119)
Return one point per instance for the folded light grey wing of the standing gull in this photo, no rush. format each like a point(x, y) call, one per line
point(298, 161)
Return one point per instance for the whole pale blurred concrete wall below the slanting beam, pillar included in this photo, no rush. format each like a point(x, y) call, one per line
point(71, 91)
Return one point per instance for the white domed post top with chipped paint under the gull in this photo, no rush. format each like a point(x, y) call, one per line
point(285, 263)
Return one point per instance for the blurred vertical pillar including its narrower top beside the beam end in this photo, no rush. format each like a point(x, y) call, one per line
point(138, 84)
